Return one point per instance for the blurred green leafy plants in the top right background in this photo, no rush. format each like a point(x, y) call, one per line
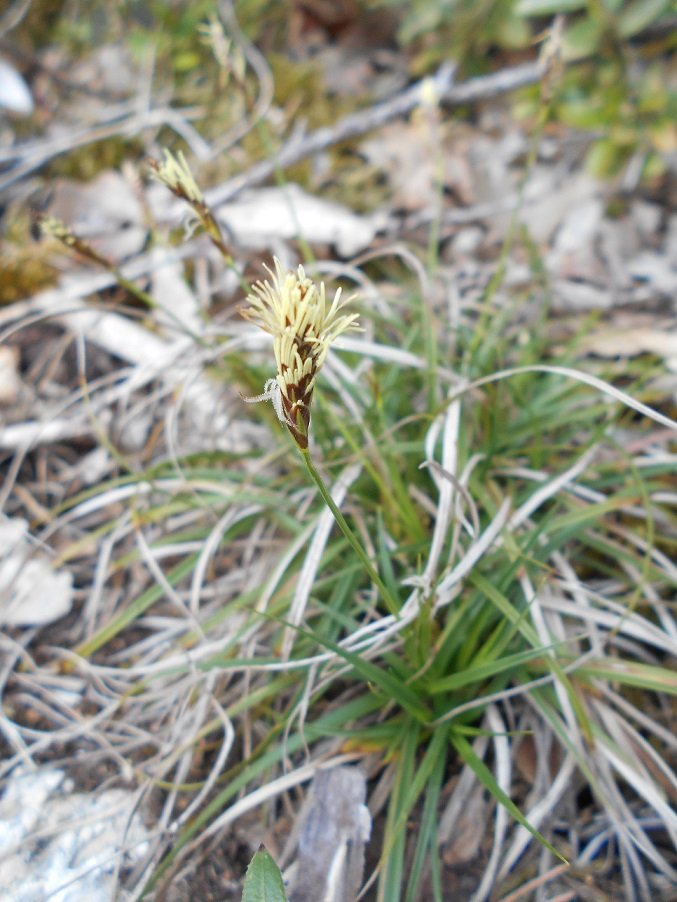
point(618, 90)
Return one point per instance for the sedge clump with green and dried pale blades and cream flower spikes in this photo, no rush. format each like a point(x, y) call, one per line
point(489, 635)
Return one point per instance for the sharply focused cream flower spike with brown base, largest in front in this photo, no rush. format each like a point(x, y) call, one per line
point(293, 309)
